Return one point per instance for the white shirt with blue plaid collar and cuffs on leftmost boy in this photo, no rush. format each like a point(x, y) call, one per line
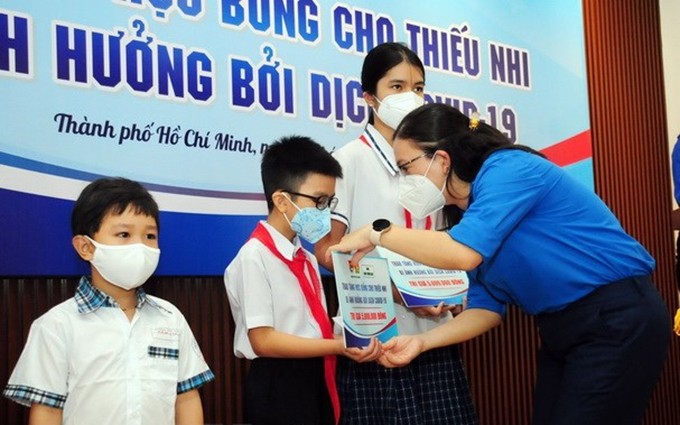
point(84, 356)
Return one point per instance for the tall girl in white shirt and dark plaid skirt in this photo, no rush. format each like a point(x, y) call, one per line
point(434, 389)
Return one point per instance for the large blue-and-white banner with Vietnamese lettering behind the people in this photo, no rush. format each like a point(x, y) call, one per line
point(185, 95)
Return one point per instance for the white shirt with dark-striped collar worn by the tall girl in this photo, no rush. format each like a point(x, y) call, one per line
point(368, 190)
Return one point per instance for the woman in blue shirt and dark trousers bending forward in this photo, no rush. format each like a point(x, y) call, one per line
point(531, 236)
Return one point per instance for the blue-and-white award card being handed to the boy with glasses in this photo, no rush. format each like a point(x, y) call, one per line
point(365, 299)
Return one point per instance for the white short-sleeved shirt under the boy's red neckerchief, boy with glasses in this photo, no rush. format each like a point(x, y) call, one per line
point(264, 292)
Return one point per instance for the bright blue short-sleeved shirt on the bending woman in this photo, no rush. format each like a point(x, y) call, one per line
point(545, 238)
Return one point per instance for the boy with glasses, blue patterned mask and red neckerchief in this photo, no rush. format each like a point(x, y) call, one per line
point(276, 297)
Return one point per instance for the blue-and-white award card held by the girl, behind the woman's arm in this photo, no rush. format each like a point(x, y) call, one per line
point(420, 285)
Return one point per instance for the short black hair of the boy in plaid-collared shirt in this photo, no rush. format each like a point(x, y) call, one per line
point(109, 196)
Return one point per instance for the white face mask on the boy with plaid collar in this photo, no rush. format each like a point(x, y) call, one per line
point(126, 266)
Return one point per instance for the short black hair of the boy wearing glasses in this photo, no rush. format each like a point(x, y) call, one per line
point(288, 161)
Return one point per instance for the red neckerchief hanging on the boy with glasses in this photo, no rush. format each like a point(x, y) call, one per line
point(312, 292)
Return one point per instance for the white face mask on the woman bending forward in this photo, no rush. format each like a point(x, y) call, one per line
point(419, 195)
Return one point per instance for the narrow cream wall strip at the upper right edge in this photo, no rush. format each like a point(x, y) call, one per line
point(670, 37)
